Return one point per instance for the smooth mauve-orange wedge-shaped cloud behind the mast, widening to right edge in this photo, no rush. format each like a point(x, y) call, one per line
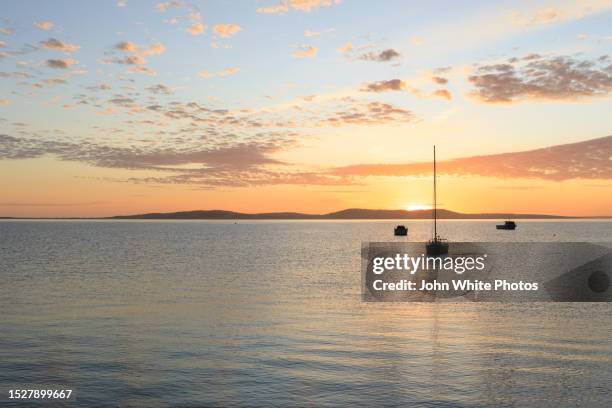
point(583, 160)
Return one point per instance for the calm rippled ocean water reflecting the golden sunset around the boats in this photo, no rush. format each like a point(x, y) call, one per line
point(197, 313)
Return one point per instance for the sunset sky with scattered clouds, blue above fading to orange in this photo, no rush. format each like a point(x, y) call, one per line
point(122, 106)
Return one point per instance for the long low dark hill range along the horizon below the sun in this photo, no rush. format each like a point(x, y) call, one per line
point(348, 214)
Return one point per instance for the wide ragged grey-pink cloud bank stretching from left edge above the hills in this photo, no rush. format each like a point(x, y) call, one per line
point(245, 162)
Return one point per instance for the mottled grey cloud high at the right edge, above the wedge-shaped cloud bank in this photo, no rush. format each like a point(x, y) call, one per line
point(534, 77)
